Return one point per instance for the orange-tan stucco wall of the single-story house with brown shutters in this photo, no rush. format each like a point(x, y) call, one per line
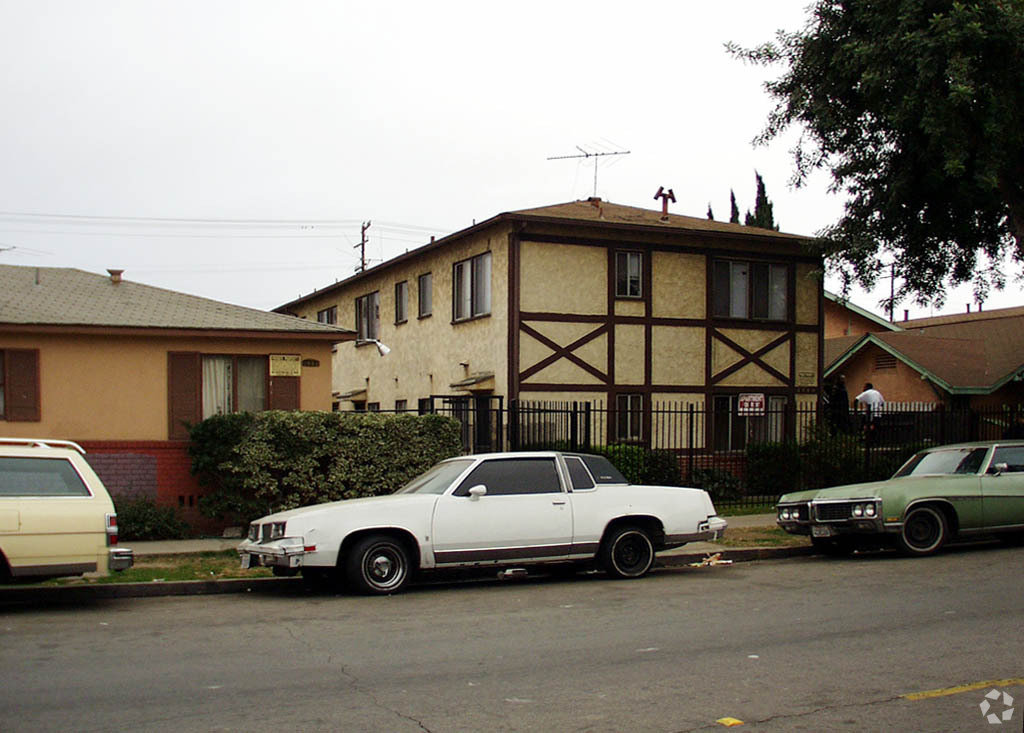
point(108, 387)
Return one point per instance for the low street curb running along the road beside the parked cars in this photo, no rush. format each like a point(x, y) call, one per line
point(79, 594)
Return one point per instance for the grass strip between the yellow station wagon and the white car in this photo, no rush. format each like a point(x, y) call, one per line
point(187, 567)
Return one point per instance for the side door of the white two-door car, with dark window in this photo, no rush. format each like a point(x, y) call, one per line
point(525, 515)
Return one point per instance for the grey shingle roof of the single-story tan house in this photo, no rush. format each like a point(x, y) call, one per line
point(64, 296)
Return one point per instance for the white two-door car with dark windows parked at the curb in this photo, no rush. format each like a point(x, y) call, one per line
point(504, 510)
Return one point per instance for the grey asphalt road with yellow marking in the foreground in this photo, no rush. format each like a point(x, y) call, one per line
point(802, 644)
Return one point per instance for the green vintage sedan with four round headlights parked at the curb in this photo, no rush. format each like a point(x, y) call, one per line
point(941, 494)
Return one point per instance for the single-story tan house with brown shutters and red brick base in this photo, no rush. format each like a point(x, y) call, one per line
point(123, 368)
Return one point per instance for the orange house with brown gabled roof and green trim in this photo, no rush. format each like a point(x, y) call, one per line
point(966, 360)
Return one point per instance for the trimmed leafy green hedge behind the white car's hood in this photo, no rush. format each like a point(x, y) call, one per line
point(273, 461)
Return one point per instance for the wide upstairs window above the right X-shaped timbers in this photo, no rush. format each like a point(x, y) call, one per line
point(751, 290)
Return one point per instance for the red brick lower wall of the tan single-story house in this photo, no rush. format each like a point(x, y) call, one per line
point(159, 470)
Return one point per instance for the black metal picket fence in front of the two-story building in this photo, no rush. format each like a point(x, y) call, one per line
point(744, 458)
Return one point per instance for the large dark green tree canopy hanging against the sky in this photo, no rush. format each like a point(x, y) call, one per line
point(917, 109)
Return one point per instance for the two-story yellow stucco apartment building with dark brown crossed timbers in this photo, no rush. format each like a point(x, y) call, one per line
point(586, 303)
